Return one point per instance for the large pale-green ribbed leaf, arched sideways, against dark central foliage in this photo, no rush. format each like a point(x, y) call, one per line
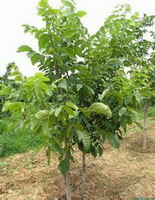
point(101, 108)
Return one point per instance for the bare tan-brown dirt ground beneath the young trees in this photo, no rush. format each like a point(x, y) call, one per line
point(119, 175)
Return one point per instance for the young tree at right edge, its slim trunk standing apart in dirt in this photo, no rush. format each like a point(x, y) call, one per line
point(143, 69)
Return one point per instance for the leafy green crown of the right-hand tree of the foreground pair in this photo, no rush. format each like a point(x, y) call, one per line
point(112, 49)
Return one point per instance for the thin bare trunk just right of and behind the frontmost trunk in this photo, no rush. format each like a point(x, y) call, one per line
point(83, 174)
